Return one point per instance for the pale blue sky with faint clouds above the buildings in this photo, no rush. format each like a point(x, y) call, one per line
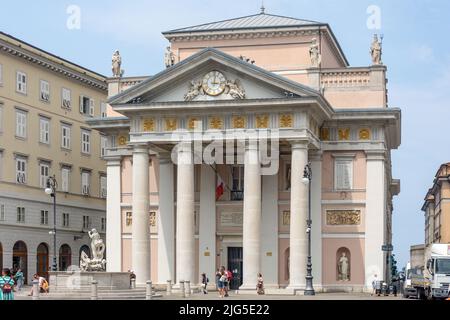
point(416, 51)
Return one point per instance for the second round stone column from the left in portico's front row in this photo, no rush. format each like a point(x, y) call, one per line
point(185, 241)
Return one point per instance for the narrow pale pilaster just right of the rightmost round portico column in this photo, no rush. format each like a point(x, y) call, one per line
point(316, 217)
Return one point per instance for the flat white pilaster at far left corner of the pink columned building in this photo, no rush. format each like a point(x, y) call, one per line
point(113, 215)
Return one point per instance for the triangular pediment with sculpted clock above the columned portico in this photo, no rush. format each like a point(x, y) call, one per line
point(212, 75)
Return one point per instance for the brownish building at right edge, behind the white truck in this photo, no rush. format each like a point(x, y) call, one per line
point(437, 208)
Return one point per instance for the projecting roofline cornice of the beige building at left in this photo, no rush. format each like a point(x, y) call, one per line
point(59, 67)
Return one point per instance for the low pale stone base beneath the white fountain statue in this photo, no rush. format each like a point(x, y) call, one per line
point(81, 281)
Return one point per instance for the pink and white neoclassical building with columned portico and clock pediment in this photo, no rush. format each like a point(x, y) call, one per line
point(245, 84)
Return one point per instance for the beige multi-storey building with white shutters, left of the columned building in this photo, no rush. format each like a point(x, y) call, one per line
point(44, 102)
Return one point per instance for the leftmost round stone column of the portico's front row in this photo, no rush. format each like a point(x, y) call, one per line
point(140, 243)
